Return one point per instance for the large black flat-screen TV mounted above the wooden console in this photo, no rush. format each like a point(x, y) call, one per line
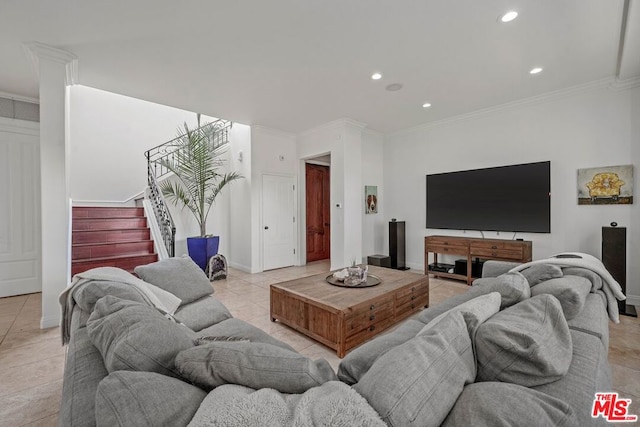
point(507, 198)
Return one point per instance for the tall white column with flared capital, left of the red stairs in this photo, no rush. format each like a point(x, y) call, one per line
point(55, 69)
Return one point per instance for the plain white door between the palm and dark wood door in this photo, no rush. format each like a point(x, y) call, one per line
point(278, 222)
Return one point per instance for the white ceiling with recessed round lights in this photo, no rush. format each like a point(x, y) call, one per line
point(296, 64)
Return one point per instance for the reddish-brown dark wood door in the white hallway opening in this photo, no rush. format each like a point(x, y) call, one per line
point(318, 213)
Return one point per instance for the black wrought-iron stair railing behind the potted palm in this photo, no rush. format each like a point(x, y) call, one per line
point(157, 157)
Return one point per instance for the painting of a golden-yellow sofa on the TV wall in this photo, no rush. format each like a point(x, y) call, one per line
point(610, 185)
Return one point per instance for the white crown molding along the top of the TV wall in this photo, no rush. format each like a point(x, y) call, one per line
point(545, 97)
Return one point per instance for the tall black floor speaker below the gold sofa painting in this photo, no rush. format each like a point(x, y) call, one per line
point(614, 258)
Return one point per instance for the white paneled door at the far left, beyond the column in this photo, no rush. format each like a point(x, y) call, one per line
point(19, 213)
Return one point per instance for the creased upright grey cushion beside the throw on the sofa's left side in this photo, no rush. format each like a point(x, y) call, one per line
point(136, 337)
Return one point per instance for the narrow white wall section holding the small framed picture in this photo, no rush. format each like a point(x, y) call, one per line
point(374, 226)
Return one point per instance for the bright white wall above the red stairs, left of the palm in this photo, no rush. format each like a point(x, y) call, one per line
point(108, 135)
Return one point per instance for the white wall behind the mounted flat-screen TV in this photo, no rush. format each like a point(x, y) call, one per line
point(595, 126)
